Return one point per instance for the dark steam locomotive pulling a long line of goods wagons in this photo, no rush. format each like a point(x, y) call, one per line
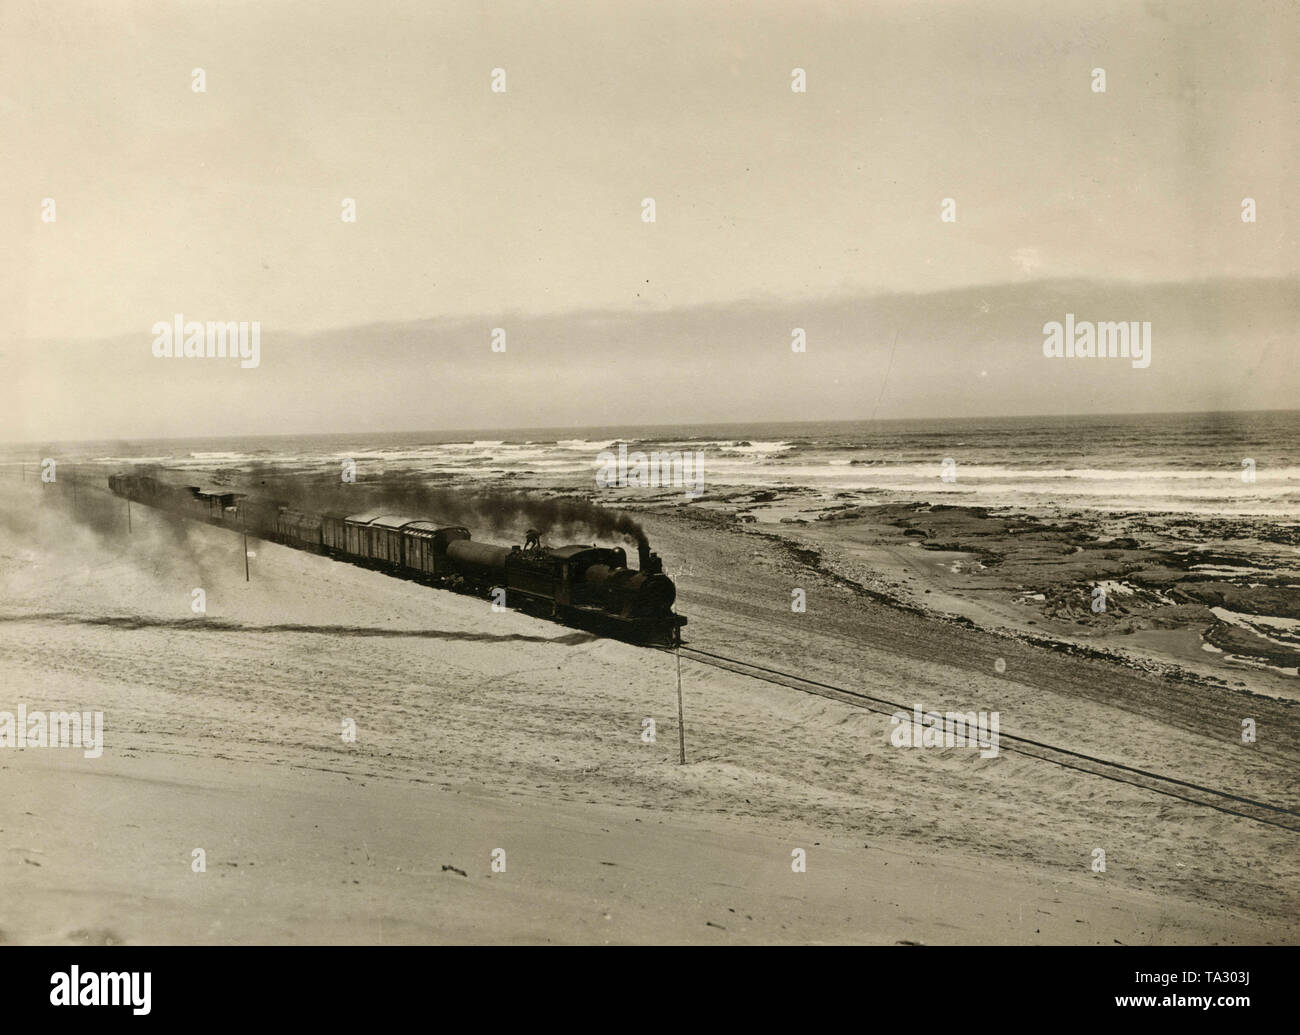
point(584, 586)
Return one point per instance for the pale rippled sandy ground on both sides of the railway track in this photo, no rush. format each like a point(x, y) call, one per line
point(480, 731)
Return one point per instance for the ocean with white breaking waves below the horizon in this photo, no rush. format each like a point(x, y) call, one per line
point(1242, 465)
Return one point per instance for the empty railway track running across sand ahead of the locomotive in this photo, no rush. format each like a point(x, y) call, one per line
point(1194, 794)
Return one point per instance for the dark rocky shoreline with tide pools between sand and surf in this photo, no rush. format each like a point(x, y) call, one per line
point(1197, 596)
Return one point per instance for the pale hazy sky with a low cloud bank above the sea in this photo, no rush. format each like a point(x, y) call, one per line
point(479, 209)
